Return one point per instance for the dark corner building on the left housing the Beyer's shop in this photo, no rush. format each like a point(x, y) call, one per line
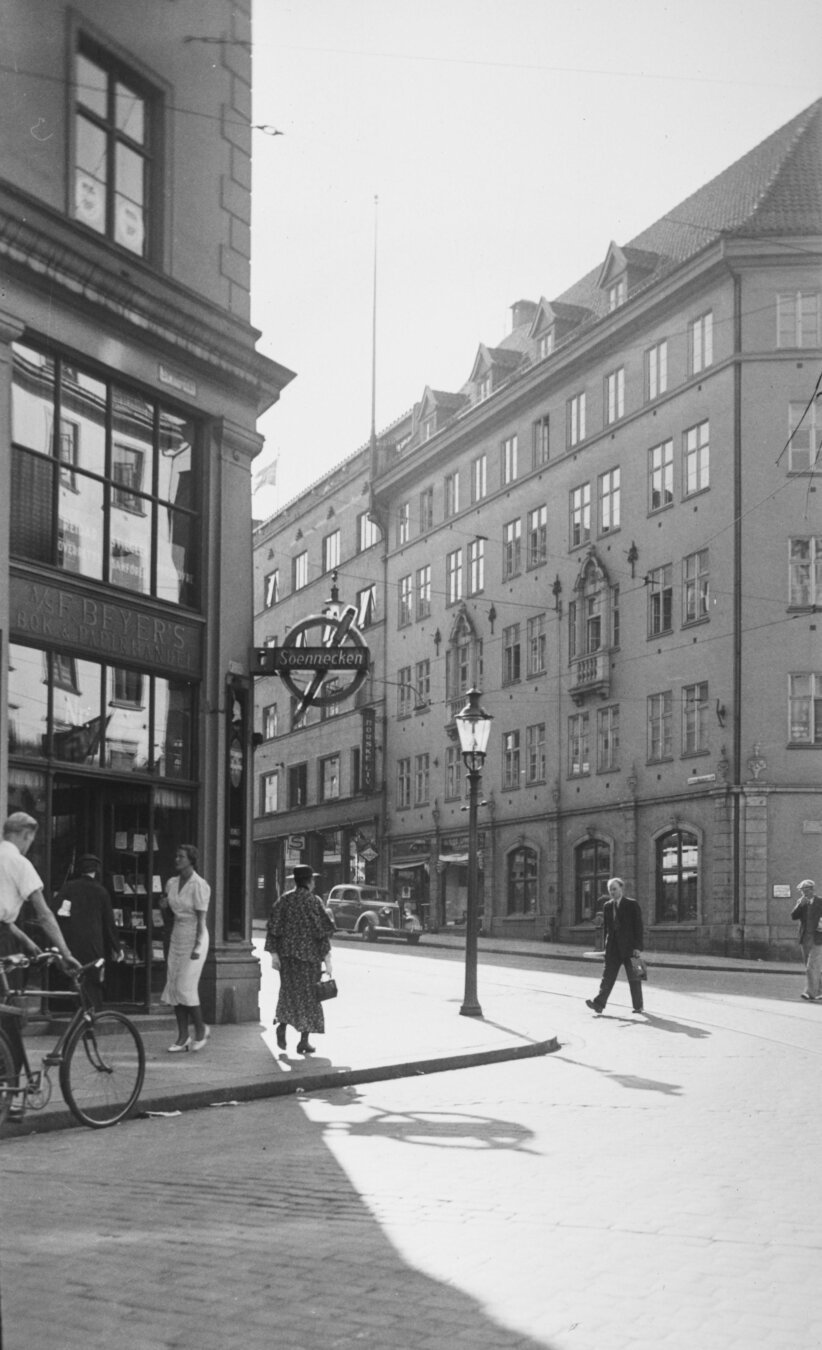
point(130, 388)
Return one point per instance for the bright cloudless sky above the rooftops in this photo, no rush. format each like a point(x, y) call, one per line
point(507, 144)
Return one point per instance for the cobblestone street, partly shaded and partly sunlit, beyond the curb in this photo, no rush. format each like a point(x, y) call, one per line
point(640, 1187)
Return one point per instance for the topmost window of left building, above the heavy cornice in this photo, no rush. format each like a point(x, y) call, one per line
point(113, 151)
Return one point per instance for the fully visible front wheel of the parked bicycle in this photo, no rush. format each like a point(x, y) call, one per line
point(103, 1070)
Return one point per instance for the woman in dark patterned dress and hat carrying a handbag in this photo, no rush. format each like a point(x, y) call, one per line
point(299, 934)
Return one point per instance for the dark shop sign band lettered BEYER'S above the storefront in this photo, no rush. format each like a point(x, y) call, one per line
point(105, 628)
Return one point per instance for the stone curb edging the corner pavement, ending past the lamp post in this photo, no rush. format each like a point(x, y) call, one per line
point(291, 1086)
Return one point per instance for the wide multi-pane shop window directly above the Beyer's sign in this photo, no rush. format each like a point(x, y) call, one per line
point(103, 481)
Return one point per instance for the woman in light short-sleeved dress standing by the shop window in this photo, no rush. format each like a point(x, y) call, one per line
point(188, 897)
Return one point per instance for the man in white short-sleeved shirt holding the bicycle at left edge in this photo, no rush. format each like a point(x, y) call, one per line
point(20, 882)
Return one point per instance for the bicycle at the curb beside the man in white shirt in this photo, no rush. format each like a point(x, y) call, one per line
point(101, 1055)
